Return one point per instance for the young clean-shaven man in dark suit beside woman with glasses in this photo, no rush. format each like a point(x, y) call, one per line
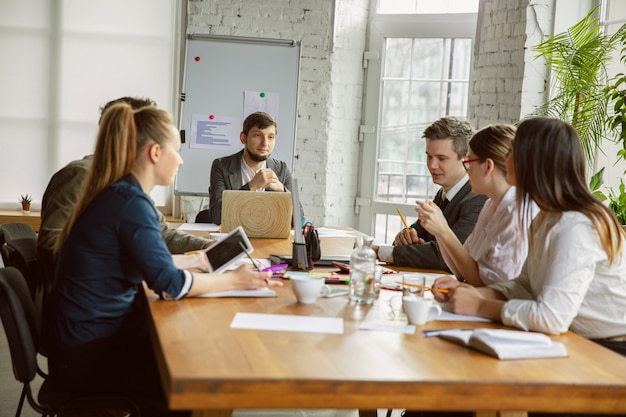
point(447, 143)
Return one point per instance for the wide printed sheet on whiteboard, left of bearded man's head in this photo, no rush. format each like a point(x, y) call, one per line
point(215, 132)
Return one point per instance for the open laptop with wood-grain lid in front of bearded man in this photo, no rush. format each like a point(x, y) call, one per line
point(264, 214)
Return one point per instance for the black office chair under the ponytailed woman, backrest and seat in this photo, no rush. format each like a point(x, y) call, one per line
point(21, 328)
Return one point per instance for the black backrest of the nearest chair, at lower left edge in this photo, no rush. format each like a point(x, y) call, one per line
point(18, 318)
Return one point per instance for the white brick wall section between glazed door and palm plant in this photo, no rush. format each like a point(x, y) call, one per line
point(507, 83)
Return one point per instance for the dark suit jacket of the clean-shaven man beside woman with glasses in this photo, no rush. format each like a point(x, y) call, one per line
point(462, 213)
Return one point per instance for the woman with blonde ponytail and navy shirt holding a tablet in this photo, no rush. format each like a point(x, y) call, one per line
point(112, 243)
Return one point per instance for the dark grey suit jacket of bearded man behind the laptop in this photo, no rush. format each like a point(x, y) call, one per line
point(226, 175)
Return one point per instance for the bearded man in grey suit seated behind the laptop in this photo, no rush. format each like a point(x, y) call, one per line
point(252, 168)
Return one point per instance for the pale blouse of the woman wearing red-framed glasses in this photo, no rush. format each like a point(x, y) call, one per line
point(499, 241)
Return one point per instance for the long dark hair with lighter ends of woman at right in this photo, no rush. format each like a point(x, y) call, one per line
point(550, 168)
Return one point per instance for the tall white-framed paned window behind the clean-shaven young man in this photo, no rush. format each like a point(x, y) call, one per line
point(419, 71)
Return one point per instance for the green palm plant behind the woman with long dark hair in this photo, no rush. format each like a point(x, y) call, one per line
point(584, 95)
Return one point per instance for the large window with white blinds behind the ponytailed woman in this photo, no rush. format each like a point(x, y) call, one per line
point(60, 60)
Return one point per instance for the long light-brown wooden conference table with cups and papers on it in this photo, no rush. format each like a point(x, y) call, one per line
point(210, 368)
